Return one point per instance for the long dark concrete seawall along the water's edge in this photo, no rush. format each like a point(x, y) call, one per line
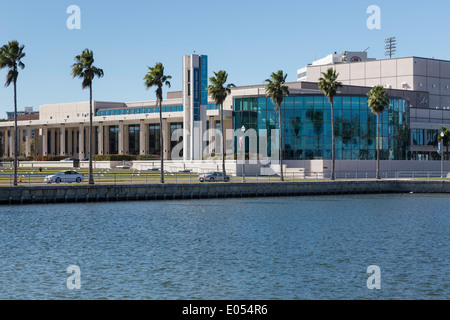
point(105, 193)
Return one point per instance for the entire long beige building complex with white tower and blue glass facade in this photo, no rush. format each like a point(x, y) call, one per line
point(418, 89)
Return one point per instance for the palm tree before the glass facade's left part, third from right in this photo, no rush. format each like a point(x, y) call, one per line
point(276, 89)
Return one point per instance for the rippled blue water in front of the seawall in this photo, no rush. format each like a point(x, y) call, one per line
point(270, 248)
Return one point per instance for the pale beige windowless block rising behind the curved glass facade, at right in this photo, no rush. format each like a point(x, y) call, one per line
point(429, 78)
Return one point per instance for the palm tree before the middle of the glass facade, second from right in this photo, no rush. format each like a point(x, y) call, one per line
point(329, 85)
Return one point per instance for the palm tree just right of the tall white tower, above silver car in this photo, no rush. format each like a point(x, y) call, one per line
point(219, 90)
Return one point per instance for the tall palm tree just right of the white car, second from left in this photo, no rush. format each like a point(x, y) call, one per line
point(84, 69)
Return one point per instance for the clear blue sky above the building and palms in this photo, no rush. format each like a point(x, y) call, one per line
point(247, 38)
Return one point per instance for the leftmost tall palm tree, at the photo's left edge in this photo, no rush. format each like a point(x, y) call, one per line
point(11, 55)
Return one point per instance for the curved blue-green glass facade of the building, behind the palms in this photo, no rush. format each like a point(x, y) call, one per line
point(306, 126)
